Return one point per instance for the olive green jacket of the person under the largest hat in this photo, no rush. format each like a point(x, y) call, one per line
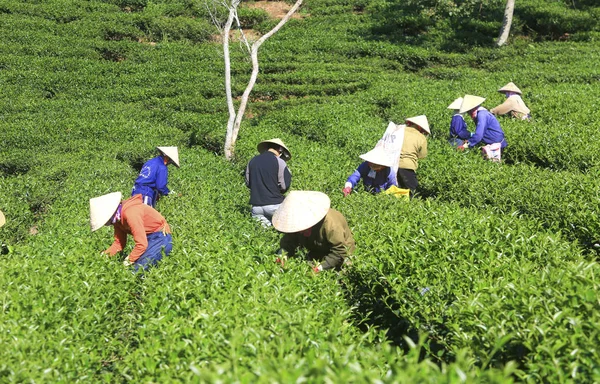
point(330, 240)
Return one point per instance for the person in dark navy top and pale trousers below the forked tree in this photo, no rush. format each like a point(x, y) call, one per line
point(268, 178)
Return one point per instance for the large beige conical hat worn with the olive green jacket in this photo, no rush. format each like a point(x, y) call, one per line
point(301, 210)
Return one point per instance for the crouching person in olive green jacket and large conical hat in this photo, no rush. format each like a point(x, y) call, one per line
point(307, 221)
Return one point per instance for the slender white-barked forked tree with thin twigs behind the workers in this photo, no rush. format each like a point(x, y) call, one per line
point(235, 117)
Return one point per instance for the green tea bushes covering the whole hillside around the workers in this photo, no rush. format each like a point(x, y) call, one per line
point(489, 275)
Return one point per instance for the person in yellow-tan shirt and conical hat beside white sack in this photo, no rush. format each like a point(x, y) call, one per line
point(414, 147)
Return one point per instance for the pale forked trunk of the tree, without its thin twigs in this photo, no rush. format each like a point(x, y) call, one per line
point(235, 119)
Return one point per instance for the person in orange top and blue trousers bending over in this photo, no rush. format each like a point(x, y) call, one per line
point(151, 232)
